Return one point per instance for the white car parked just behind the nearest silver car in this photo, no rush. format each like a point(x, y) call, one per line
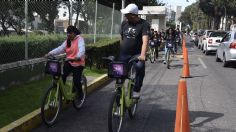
point(210, 43)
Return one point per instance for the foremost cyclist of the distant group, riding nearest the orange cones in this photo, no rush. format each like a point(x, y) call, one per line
point(170, 37)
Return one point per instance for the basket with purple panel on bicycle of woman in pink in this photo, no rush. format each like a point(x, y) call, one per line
point(53, 68)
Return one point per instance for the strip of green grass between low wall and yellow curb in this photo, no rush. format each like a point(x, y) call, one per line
point(19, 100)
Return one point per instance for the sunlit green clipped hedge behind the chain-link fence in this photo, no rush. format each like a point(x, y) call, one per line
point(13, 48)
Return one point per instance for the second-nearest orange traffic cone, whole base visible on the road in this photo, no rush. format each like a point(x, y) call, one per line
point(185, 72)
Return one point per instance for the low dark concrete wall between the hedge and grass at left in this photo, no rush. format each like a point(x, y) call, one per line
point(21, 72)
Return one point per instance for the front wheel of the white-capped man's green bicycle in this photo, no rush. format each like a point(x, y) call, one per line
point(115, 119)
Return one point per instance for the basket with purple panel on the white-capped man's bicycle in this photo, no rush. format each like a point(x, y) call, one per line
point(117, 70)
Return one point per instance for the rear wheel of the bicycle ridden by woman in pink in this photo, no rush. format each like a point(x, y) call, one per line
point(78, 102)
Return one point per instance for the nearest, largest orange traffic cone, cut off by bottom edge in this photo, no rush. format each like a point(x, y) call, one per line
point(182, 114)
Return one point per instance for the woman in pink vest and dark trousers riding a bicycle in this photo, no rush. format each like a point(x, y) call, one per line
point(74, 48)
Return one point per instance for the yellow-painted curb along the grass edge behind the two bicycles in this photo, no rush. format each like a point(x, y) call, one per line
point(33, 119)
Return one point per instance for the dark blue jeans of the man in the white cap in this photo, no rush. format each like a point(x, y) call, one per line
point(140, 71)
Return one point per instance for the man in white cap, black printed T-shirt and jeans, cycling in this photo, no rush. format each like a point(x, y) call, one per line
point(134, 41)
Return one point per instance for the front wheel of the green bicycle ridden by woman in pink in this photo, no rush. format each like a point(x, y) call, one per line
point(51, 105)
